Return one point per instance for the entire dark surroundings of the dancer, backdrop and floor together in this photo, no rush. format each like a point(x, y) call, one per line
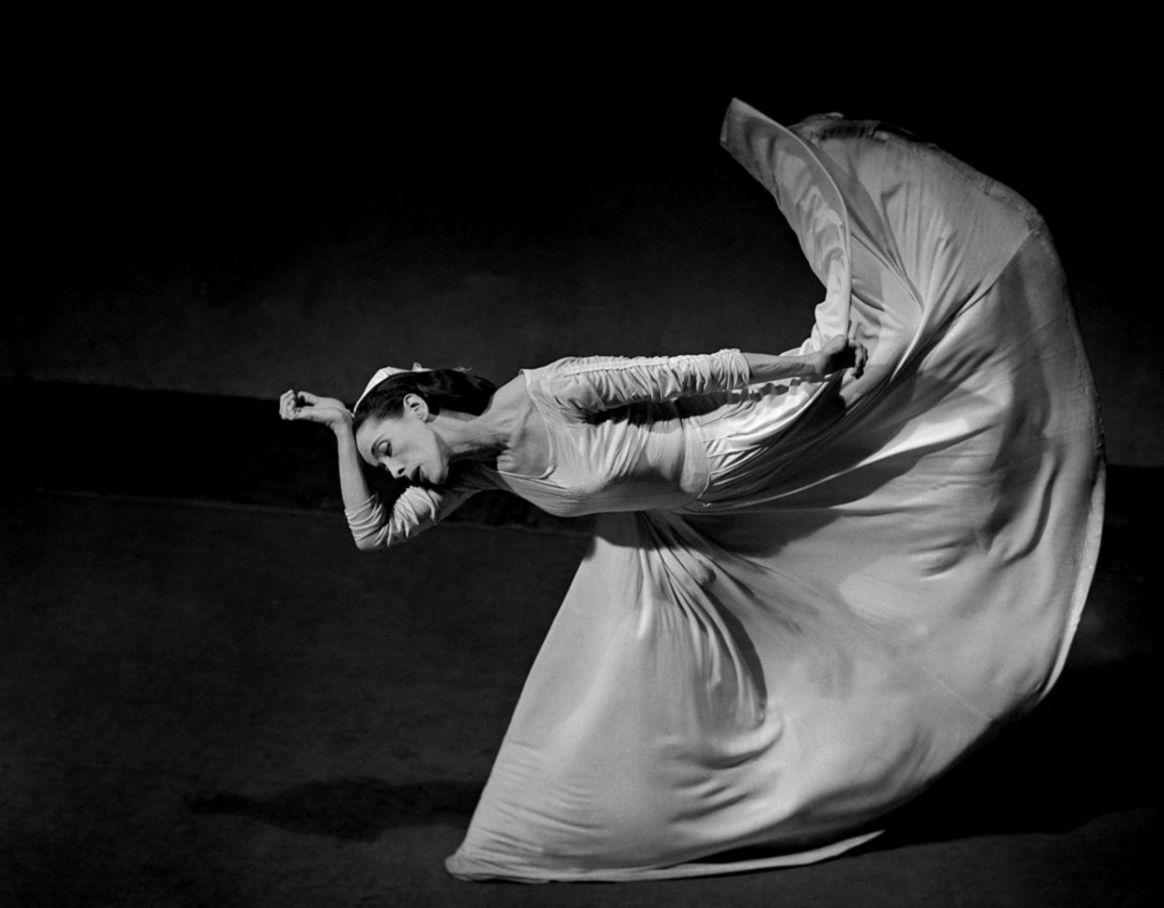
point(231, 706)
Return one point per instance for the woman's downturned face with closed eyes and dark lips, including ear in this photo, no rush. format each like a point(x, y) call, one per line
point(407, 446)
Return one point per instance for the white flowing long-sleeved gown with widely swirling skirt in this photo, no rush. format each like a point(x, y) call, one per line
point(804, 601)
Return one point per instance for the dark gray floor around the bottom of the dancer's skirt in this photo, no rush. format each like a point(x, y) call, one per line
point(230, 706)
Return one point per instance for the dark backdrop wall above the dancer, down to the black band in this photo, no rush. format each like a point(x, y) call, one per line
point(240, 218)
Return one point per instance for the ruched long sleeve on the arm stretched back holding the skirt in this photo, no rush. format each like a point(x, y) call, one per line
point(581, 387)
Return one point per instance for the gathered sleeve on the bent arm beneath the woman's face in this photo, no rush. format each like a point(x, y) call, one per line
point(375, 526)
